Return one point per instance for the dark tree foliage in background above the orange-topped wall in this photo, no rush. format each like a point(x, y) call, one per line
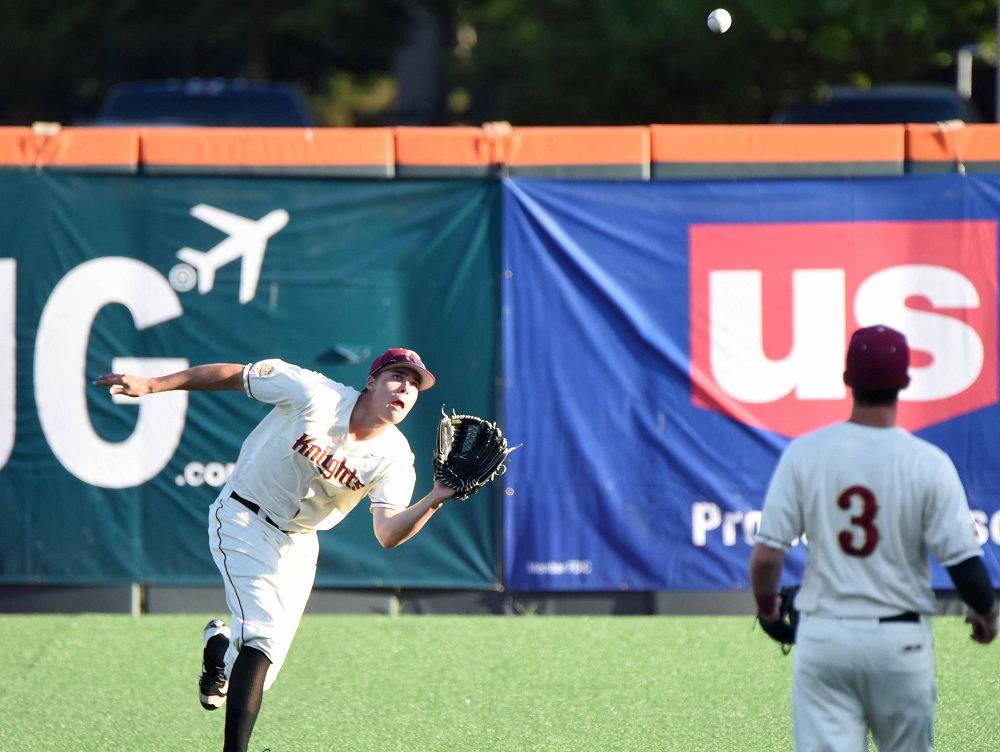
point(531, 62)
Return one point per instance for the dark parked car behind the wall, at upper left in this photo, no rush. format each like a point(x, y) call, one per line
point(205, 102)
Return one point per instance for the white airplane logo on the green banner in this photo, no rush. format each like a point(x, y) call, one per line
point(247, 240)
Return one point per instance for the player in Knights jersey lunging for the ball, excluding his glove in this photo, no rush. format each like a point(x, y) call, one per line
point(321, 449)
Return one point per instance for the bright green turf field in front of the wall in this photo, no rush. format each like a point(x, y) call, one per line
point(437, 683)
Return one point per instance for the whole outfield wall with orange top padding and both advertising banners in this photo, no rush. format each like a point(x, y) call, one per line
point(653, 311)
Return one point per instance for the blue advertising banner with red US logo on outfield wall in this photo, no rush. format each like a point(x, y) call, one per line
point(664, 341)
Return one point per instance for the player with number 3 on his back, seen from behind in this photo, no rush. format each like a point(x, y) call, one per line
point(872, 501)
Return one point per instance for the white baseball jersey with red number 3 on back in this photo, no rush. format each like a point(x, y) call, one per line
point(871, 502)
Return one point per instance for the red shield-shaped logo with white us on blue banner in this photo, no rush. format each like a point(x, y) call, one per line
point(773, 306)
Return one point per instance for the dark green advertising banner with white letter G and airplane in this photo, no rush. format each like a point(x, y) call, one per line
point(150, 275)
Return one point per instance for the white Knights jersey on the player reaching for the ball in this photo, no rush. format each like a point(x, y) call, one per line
point(299, 465)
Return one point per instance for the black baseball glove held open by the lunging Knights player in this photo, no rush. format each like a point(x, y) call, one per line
point(470, 453)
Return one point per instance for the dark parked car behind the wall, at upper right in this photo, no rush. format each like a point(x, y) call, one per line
point(904, 103)
